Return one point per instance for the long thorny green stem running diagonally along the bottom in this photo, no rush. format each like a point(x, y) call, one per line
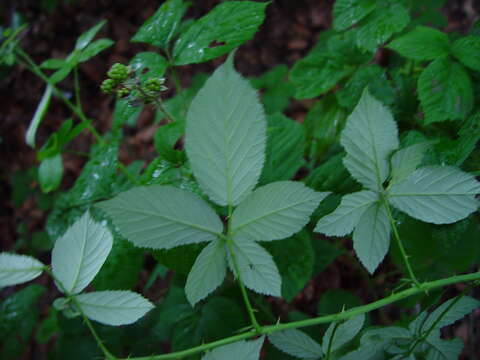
point(345, 315)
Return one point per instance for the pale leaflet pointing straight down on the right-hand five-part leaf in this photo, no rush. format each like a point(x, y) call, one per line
point(371, 237)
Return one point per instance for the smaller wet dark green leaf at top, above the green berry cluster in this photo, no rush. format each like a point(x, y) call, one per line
point(159, 29)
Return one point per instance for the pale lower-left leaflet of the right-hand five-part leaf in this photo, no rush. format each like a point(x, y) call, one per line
point(347, 215)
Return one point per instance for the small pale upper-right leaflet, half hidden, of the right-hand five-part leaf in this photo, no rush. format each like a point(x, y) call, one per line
point(405, 161)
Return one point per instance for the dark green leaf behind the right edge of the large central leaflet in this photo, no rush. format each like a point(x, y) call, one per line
point(285, 148)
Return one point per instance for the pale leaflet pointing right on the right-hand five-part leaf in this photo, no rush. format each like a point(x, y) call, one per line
point(440, 195)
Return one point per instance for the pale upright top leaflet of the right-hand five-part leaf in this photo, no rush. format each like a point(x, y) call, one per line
point(370, 135)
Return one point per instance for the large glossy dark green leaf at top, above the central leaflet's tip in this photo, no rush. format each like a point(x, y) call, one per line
point(223, 29)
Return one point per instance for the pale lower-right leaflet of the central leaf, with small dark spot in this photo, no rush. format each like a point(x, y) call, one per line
point(256, 267)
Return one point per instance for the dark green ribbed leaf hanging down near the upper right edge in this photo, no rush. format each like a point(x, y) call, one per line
point(445, 91)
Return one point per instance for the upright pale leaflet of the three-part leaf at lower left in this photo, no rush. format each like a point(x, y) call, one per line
point(80, 253)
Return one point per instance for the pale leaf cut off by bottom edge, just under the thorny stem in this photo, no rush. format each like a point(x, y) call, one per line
point(245, 350)
